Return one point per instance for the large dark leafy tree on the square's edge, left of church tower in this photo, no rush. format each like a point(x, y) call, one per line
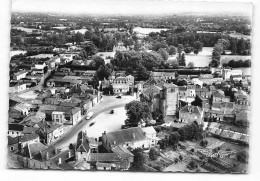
point(137, 111)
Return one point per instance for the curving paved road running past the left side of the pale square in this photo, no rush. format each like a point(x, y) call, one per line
point(107, 103)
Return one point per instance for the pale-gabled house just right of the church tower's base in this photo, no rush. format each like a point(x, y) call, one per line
point(189, 114)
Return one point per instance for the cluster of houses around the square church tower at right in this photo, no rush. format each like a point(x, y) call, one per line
point(180, 103)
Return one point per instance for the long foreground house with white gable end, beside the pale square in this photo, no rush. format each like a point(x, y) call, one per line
point(132, 137)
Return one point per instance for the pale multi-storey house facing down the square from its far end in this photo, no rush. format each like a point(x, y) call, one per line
point(121, 85)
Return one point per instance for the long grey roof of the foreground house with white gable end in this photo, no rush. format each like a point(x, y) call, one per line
point(126, 135)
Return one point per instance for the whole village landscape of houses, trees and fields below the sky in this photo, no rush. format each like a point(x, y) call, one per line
point(120, 92)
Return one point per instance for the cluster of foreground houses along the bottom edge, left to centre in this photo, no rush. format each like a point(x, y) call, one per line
point(84, 153)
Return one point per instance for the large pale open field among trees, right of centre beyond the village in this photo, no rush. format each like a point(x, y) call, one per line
point(202, 59)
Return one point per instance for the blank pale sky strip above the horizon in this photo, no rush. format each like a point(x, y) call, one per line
point(127, 6)
